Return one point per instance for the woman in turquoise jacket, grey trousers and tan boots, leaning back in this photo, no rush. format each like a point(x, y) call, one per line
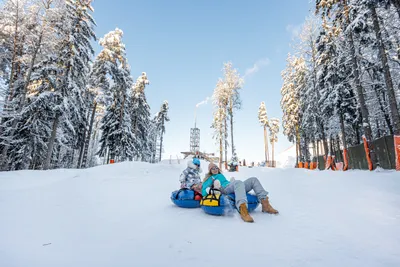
point(240, 188)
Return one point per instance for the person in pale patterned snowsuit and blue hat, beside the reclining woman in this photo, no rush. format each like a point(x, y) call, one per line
point(190, 177)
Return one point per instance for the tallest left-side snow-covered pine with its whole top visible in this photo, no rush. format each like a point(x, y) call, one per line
point(117, 141)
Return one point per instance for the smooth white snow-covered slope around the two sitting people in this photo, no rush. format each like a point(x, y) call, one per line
point(120, 215)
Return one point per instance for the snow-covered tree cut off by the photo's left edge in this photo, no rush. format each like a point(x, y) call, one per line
point(14, 18)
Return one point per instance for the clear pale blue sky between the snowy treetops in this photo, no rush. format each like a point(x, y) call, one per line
point(182, 45)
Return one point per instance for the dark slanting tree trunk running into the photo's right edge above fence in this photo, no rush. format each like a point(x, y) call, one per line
point(388, 78)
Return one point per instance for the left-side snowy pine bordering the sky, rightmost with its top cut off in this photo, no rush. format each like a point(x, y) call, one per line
point(75, 52)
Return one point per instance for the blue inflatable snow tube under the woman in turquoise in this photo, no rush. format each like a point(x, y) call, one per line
point(227, 205)
